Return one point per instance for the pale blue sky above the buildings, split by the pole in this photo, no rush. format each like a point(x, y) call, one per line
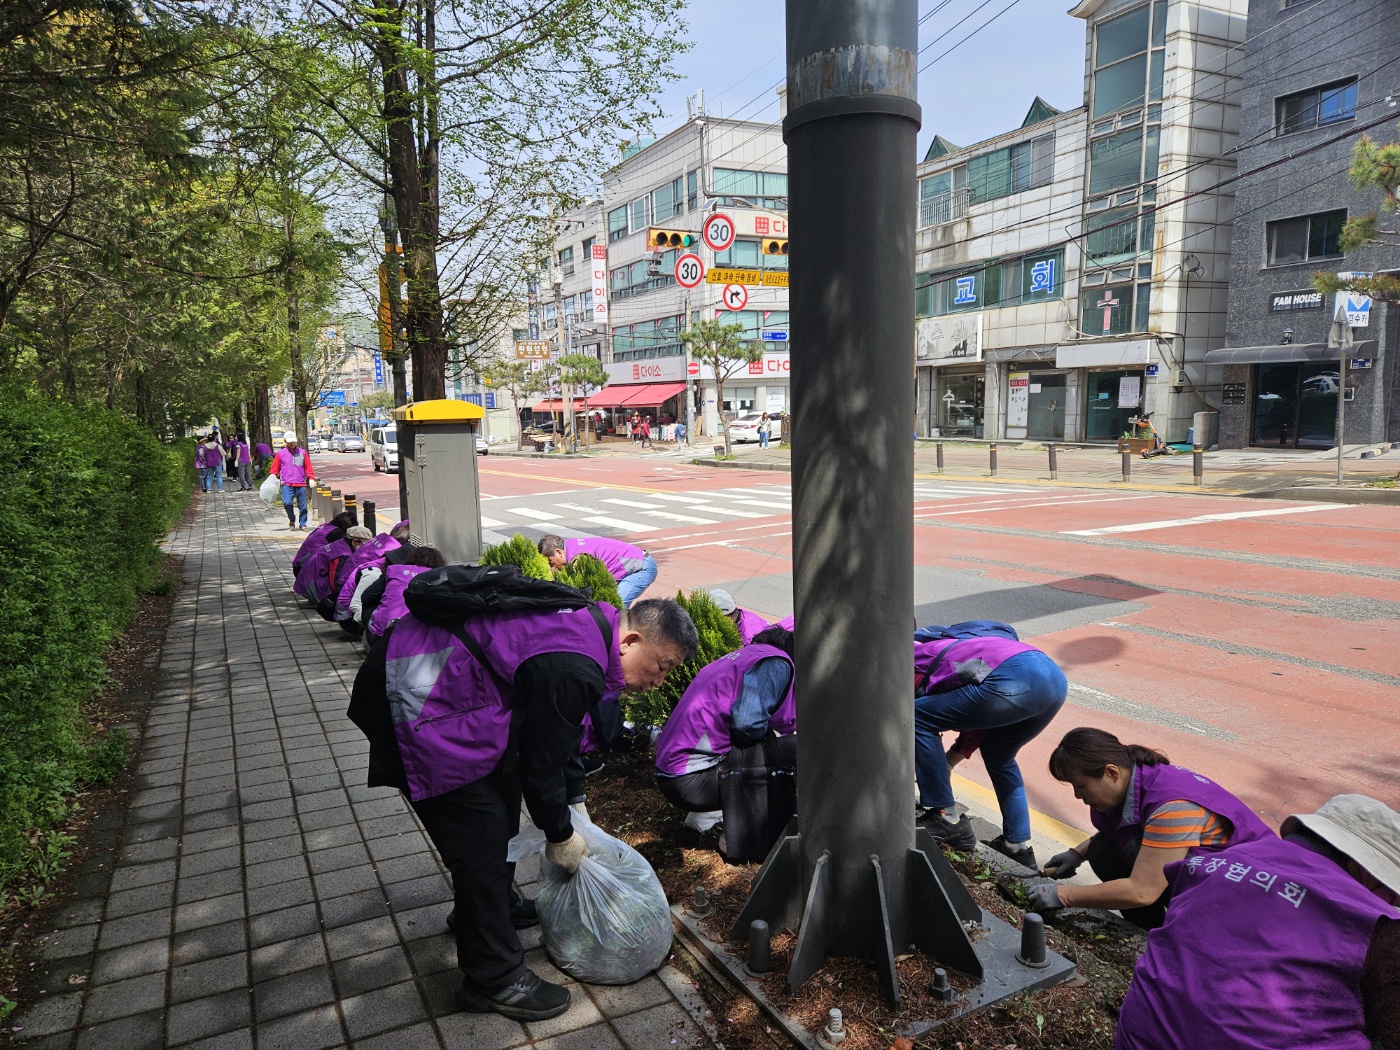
point(979, 90)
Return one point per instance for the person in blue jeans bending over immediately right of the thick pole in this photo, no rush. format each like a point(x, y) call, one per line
point(1000, 694)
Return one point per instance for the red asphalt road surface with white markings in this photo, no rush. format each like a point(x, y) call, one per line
point(1266, 628)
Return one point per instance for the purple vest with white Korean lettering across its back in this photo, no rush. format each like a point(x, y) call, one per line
point(1262, 948)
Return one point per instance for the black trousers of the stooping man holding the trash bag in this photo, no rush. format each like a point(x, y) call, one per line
point(471, 828)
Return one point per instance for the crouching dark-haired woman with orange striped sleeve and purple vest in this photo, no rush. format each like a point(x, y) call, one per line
point(1147, 814)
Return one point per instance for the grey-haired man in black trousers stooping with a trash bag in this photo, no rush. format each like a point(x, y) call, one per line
point(481, 715)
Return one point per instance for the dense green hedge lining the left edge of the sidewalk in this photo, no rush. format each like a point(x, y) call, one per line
point(86, 496)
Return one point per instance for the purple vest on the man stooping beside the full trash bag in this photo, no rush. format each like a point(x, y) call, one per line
point(451, 716)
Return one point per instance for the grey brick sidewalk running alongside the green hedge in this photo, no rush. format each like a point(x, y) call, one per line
point(255, 894)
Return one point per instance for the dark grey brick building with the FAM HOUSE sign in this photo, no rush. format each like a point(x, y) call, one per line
point(1318, 78)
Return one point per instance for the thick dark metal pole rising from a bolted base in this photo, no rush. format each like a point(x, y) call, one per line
point(850, 135)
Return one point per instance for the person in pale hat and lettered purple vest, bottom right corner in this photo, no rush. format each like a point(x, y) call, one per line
point(1279, 944)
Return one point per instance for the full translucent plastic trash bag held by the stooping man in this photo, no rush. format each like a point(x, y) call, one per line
point(610, 923)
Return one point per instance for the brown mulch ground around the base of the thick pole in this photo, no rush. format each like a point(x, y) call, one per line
point(1080, 1016)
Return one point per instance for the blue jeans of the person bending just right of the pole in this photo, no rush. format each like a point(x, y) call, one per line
point(1013, 705)
